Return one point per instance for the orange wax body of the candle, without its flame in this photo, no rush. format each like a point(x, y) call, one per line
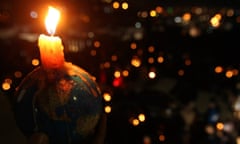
point(51, 51)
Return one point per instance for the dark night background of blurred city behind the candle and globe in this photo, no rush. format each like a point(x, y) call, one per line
point(165, 99)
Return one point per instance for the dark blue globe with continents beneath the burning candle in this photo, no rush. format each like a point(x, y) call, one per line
point(65, 104)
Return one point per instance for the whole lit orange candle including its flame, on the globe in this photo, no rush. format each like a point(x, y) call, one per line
point(51, 48)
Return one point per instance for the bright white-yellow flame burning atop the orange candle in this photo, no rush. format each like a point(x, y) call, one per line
point(51, 20)
